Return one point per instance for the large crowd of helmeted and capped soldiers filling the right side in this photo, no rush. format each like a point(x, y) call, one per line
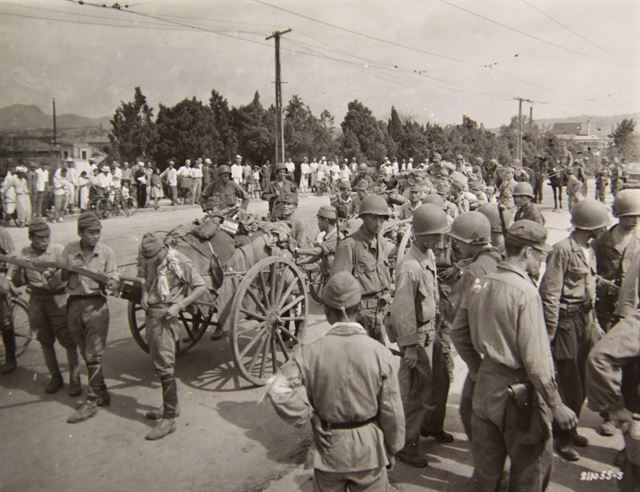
point(468, 284)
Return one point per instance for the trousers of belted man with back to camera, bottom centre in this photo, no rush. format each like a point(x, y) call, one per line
point(375, 480)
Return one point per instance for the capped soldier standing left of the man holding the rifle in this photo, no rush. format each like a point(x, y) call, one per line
point(47, 306)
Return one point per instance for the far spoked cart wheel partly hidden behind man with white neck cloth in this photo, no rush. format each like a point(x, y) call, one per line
point(192, 327)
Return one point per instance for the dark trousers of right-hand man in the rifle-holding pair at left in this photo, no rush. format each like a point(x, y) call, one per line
point(88, 321)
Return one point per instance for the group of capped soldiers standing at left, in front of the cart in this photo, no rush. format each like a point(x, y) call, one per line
point(68, 288)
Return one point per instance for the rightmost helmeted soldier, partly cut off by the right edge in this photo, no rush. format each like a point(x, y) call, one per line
point(615, 251)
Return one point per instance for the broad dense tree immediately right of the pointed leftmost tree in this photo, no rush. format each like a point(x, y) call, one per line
point(186, 131)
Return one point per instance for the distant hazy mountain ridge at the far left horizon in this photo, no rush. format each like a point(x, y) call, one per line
point(23, 117)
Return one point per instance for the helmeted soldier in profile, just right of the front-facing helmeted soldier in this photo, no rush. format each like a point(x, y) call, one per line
point(413, 322)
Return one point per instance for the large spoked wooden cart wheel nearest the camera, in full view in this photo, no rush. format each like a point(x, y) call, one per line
point(268, 316)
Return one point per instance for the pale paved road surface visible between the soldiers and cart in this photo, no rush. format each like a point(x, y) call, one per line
point(225, 440)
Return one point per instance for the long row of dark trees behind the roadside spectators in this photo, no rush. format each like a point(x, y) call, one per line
point(219, 131)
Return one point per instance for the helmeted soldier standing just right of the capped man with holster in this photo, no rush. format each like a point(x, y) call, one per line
point(568, 292)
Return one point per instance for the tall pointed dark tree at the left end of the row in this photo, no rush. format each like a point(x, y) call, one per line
point(132, 129)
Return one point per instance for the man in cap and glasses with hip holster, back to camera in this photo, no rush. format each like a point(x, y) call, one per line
point(508, 356)
